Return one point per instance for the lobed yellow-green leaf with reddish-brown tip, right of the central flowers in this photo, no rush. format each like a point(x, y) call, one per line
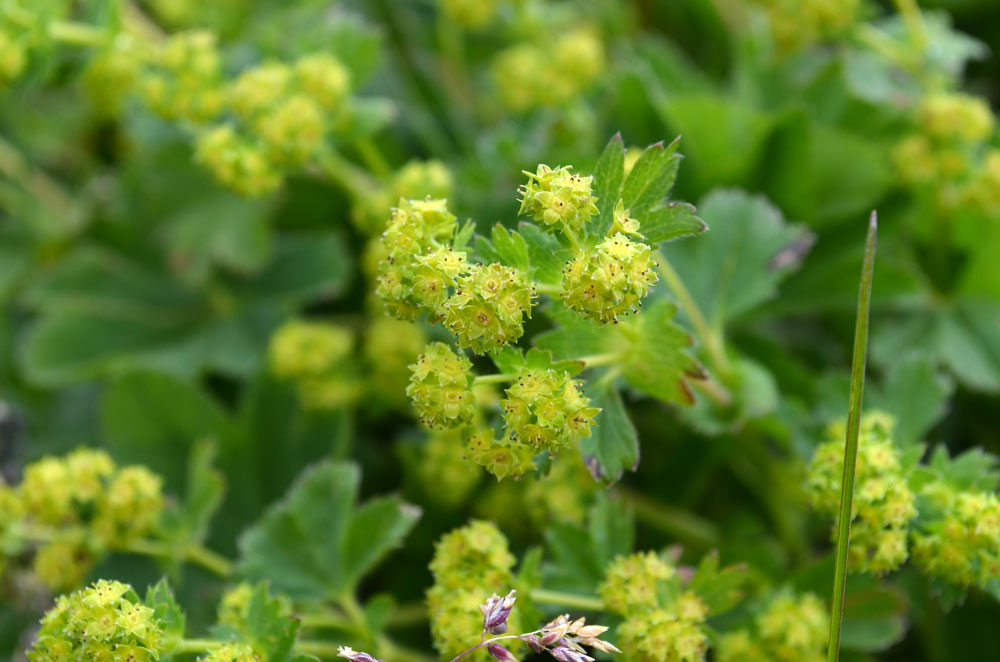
point(656, 361)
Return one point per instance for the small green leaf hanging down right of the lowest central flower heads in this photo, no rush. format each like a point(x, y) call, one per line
point(613, 445)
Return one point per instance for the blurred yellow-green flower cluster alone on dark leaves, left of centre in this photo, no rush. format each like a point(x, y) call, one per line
point(317, 357)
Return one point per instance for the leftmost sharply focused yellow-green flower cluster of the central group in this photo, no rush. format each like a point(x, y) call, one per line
point(418, 266)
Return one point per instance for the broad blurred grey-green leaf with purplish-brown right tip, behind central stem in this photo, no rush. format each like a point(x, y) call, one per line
point(751, 249)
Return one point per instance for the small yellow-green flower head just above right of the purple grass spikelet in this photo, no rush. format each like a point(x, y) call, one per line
point(632, 583)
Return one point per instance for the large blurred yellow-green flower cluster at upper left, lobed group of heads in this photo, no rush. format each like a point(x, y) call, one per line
point(280, 115)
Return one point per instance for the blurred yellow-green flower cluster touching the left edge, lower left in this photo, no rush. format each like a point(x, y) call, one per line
point(72, 509)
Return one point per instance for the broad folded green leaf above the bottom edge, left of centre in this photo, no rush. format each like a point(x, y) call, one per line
point(317, 543)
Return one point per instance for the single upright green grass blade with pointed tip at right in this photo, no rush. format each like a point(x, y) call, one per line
point(851, 443)
